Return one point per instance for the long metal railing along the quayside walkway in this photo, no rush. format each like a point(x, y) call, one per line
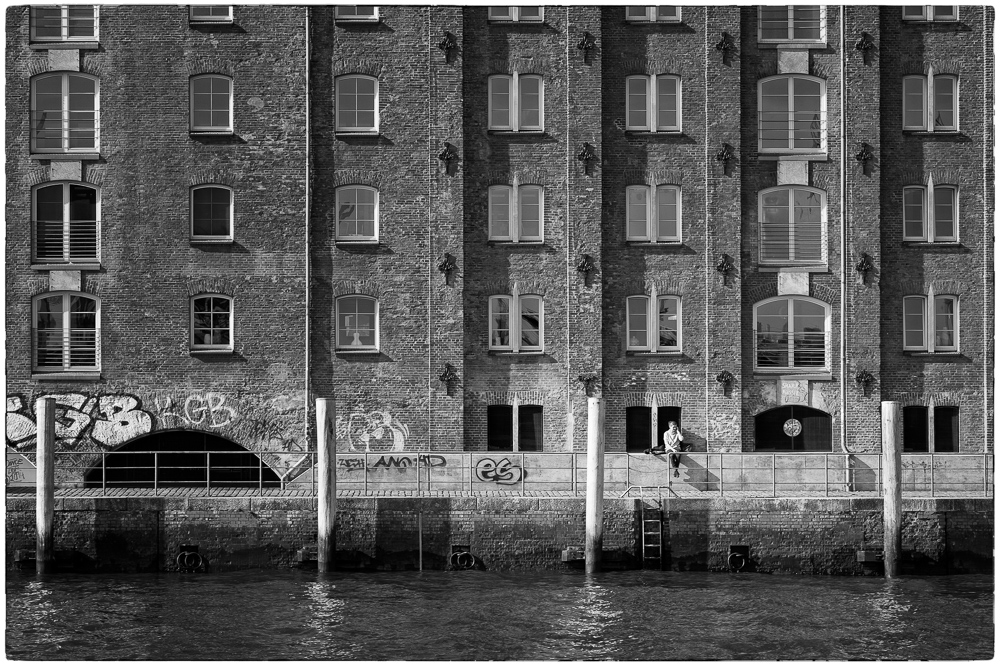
point(767, 475)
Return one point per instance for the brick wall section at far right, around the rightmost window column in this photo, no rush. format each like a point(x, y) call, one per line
point(962, 269)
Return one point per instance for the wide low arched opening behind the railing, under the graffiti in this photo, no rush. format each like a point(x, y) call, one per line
point(176, 458)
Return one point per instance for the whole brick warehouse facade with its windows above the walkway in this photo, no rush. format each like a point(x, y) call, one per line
point(457, 221)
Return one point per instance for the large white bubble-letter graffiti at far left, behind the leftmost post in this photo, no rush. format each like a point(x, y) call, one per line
point(107, 421)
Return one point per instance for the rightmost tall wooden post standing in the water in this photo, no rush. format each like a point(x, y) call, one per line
point(892, 495)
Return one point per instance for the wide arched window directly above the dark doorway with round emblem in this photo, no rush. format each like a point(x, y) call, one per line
point(792, 334)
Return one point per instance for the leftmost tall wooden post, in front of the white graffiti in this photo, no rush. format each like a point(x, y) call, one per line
point(45, 417)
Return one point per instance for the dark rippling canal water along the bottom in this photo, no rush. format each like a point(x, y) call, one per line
point(638, 615)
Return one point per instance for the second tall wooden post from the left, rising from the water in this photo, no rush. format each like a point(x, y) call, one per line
point(326, 487)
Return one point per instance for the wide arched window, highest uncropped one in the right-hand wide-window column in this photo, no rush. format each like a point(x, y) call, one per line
point(792, 114)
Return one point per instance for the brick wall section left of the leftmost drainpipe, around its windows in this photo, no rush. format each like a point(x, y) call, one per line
point(149, 267)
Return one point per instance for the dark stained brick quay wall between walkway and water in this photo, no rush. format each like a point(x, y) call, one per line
point(814, 536)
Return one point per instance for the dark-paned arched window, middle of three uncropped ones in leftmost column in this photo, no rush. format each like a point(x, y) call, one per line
point(65, 218)
